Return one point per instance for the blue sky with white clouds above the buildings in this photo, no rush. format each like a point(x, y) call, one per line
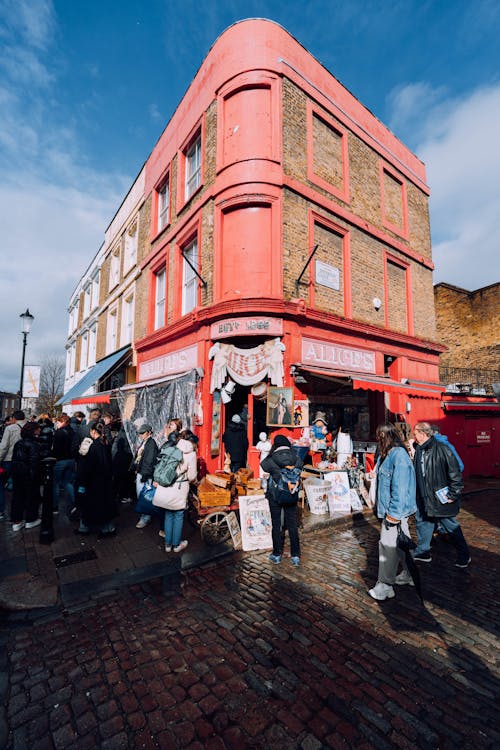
point(87, 86)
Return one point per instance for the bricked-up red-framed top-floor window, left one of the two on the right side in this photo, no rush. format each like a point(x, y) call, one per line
point(327, 153)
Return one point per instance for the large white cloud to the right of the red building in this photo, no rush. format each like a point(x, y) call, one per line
point(458, 141)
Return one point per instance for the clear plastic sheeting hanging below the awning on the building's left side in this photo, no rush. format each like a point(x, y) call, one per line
point(157, 404)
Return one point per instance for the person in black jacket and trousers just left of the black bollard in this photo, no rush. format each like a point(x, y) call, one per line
point(26, 478)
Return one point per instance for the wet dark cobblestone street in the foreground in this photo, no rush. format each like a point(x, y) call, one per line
point(255, 655)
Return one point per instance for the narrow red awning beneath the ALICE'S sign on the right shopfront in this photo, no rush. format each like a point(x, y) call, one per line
point(415, 388)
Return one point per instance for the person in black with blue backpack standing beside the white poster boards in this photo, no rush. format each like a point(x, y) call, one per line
point(283, 465)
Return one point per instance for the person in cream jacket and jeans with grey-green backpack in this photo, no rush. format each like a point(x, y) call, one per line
point(175, 469)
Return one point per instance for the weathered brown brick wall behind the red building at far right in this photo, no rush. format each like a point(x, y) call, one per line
point(468, 323)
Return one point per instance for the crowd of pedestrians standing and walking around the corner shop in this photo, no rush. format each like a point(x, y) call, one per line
point(94, 470)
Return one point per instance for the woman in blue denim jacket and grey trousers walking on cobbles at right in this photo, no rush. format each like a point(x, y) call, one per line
point(396, 501)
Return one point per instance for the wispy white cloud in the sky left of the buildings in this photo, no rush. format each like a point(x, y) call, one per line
point(53, 208)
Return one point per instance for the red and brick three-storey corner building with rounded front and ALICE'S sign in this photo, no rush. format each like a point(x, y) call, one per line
point(288, 248)
